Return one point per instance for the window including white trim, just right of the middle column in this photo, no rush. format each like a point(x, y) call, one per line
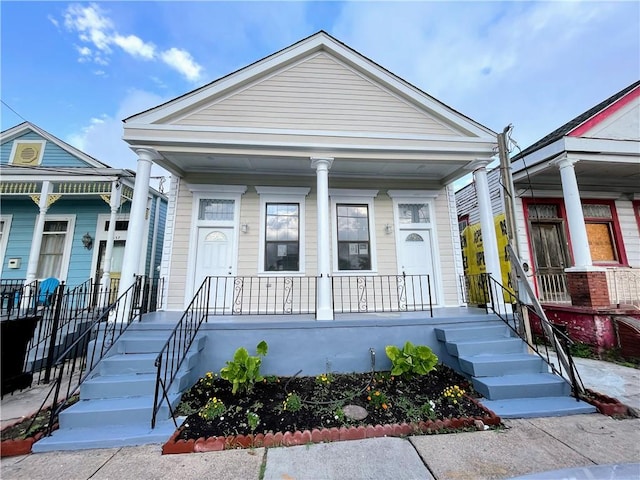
point(353, 230)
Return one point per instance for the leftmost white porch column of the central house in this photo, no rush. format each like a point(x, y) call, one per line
point(137, 221)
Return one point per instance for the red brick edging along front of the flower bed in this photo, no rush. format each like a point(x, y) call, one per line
point(334, 434)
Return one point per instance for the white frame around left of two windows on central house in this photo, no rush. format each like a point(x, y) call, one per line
point(282, 195)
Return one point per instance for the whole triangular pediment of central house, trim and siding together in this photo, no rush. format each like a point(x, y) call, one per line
point(318, 84)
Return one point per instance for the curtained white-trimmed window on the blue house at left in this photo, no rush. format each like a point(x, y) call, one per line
point(55, 248)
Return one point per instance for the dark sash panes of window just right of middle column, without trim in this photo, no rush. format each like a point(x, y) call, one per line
point(354, 246)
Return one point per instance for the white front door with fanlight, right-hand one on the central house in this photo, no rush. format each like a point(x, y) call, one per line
point(416, 261)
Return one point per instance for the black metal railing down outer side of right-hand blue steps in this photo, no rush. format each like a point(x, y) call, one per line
point(555, 349)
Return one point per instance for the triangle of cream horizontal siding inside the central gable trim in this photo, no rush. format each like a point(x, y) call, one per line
point(319, 93)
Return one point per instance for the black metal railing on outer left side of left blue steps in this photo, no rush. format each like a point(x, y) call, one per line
point(78, 361)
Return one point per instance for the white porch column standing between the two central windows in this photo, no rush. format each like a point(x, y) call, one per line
point(324, 309)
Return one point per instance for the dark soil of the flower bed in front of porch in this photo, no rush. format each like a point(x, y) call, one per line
point(323, 402)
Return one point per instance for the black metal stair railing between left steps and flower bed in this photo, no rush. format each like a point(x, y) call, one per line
point(175, 349)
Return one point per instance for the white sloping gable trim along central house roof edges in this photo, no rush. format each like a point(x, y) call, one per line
point(320, 41)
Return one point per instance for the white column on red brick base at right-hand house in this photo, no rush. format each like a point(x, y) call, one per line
point(575, 217)
